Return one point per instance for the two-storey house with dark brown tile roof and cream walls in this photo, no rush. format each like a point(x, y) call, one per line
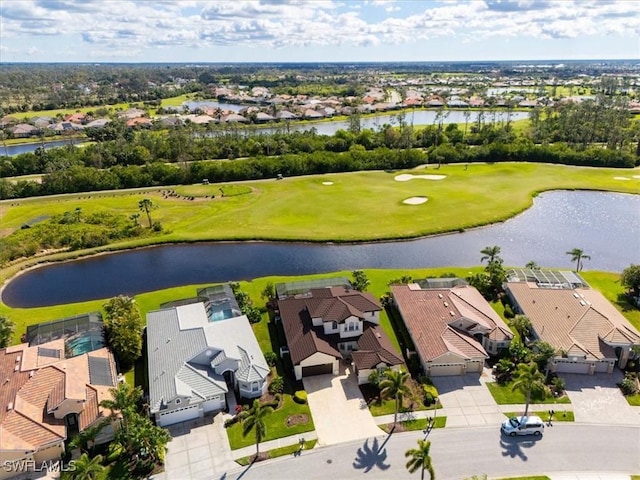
point(324, 325)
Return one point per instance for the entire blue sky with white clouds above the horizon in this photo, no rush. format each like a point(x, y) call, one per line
point(316, 30)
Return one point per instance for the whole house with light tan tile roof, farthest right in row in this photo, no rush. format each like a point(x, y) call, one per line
point(589, 334)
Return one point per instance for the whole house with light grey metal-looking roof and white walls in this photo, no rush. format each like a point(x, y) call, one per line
point(196, 358)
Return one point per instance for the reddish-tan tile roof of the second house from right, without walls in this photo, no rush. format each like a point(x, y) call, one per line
point(430, 313)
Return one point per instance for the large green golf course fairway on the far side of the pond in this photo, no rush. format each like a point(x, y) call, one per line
point(302, 208)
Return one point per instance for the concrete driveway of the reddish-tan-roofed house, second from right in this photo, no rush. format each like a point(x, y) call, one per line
point(467, 401)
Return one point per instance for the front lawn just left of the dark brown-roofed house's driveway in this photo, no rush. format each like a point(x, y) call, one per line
point(276, 424)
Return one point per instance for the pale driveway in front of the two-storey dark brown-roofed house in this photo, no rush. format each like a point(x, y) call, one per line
point(339, 411)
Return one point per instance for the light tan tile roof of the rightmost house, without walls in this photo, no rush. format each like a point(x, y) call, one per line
point(574, 320)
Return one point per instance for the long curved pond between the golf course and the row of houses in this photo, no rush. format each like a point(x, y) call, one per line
point(605, 225)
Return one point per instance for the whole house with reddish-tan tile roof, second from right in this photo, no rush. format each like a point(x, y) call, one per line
point(453, 329)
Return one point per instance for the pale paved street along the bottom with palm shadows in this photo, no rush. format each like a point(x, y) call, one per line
point(459, 453)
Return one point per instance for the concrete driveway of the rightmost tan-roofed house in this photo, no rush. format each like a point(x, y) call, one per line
point(597, 399)
